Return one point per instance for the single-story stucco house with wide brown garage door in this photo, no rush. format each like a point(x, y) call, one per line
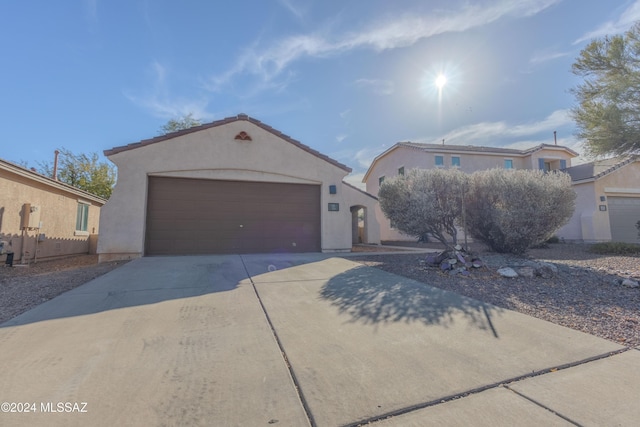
point(234, 185)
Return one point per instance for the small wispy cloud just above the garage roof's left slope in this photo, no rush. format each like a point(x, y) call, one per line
point(161, 104)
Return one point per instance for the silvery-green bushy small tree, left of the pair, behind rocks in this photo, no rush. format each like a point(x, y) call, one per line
point(425, 202)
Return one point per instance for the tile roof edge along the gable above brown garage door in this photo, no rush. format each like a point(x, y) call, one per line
point(239, 117)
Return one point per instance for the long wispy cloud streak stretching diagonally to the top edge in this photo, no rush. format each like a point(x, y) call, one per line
point(267, 62)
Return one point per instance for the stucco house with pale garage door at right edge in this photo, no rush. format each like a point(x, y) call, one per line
point(607, 203)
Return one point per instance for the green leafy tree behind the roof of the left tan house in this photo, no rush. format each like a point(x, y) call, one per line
point(83, 171)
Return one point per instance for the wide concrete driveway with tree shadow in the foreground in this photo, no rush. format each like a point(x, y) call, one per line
point(295, 340)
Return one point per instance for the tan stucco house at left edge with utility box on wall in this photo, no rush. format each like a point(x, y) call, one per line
point(42, 218)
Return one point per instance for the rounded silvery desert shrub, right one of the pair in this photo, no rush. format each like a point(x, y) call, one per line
point(513, 210)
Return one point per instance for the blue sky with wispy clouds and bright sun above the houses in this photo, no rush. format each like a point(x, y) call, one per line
point(349, 78)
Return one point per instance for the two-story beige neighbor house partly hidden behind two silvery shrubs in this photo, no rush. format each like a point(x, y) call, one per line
point(404, 156)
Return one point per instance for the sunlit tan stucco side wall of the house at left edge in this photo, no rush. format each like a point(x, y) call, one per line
point(58, 209)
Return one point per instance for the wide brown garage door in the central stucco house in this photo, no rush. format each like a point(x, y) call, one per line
point(196, 216)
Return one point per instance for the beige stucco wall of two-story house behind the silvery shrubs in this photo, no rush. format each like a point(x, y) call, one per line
point(411, 158)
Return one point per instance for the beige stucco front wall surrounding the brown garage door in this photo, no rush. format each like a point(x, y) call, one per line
point(214, 154)
